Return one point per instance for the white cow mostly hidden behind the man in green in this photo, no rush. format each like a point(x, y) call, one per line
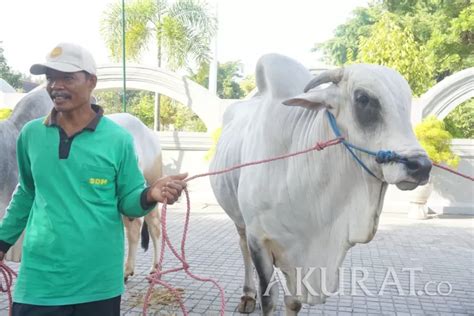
point(37, 104)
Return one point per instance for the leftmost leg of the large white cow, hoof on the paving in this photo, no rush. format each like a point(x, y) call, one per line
point(247, 301)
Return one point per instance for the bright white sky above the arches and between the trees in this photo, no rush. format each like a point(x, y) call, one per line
point(248, 29)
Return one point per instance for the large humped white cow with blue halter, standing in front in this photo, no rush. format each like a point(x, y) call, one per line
point(304, 213)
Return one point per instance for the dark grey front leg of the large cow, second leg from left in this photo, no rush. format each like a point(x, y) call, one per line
point(263, 262)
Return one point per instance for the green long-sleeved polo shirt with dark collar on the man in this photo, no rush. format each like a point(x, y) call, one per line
point(71, 194)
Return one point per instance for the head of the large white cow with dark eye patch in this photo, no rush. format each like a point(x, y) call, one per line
point(372, 108)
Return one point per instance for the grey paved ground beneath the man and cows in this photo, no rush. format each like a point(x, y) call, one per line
point(442, 247)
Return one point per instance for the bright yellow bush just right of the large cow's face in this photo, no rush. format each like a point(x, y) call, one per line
point(436, 140)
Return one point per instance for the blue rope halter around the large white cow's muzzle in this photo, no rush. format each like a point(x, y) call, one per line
point(382, 156)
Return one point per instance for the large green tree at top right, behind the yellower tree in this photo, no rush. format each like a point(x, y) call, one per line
point(442, 29)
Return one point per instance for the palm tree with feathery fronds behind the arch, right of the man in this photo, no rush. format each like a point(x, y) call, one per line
point(181, 30)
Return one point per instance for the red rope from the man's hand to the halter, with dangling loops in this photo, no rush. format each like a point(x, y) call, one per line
point(155, 278)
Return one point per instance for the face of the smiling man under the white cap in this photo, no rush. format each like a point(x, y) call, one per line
point(69, 90)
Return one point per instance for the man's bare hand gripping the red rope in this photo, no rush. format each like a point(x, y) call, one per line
point(168, 188)
